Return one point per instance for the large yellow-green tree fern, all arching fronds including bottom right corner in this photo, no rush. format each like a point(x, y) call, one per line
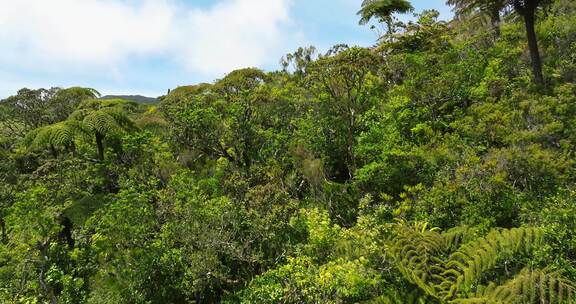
point(449, 266)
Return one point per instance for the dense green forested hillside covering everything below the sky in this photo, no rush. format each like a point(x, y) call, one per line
point(437, 166)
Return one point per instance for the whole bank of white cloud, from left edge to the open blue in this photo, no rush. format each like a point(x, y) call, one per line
point(101, 34)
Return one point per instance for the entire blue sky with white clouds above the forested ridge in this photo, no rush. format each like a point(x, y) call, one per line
point(149, 46)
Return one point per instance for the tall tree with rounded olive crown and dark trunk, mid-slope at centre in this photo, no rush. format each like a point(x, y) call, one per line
point(342, 81)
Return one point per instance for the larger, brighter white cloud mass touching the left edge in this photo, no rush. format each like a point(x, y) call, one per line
point(81, 32)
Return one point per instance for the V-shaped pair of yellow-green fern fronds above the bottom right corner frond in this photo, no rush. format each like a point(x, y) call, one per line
point(428, 260)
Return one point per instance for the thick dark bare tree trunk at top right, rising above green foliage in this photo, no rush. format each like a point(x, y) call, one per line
point(529, 14)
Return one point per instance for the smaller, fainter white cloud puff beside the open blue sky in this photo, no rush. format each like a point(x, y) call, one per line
point(233, 34)
